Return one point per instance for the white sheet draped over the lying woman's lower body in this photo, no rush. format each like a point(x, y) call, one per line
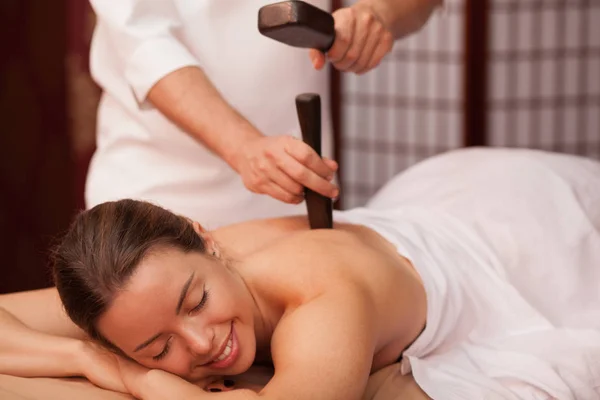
point(508, 245)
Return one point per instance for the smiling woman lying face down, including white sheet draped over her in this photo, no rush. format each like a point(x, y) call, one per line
point(478, 271)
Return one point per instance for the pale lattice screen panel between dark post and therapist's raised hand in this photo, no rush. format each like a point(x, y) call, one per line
point(407, 109)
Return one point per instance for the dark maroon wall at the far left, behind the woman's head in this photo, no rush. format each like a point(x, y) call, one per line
point(38, 193)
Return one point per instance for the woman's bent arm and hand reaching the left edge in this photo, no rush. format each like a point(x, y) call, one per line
point(37, 339)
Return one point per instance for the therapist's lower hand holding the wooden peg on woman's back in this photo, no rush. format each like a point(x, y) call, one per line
point(281, 166)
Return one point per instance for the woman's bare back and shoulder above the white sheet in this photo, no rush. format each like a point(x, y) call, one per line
point(303, 265)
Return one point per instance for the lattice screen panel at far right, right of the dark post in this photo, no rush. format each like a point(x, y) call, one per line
point(544, 75)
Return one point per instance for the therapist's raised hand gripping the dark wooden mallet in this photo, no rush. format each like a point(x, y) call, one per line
point(361, 42)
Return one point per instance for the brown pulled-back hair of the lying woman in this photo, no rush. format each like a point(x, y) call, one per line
point(102, 249)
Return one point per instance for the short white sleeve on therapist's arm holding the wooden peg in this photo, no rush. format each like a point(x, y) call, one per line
point(143, 34)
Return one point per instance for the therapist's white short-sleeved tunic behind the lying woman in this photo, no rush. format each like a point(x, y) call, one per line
point(140, 154)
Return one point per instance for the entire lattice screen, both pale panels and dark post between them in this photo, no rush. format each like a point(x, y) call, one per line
point(530, 77)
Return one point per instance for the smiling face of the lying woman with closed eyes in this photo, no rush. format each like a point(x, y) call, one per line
point(187, 314)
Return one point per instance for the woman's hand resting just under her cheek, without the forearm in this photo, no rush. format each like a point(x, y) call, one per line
point(100, 366)
